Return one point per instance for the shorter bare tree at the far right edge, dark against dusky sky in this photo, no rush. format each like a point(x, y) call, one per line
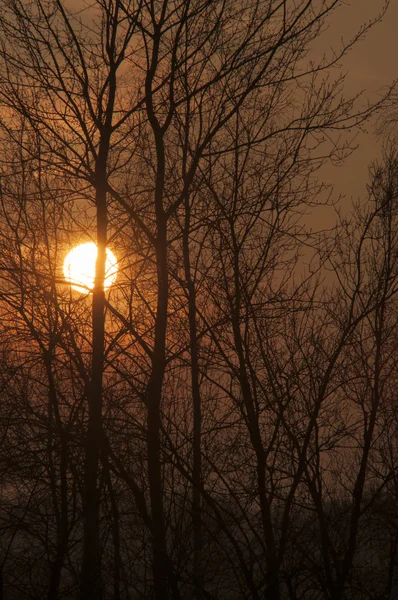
point(352, 370)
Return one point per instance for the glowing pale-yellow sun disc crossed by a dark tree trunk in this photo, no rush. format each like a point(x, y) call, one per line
point(79, 268)
